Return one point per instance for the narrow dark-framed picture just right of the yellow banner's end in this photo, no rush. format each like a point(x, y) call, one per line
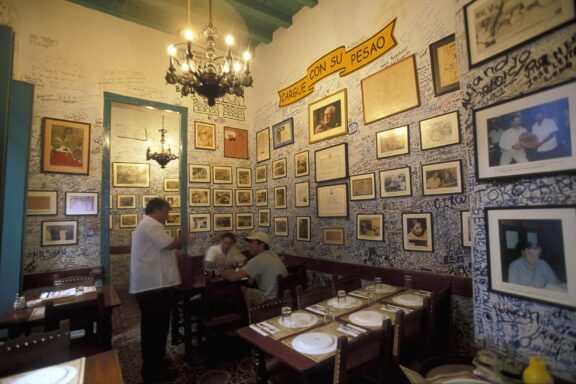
point(444, 60)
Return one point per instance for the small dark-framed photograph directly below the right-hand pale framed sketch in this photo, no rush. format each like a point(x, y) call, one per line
point(442, 178)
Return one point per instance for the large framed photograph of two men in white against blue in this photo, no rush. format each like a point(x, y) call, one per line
point(530, 134)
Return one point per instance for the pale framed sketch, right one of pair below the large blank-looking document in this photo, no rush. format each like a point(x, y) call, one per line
point(440, 131)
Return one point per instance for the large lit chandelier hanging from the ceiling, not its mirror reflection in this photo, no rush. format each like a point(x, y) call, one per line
point(211, 77)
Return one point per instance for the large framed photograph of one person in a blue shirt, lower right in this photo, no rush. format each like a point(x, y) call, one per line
point(531, 253)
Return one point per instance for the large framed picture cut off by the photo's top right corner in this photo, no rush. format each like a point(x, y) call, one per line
point(494, 27)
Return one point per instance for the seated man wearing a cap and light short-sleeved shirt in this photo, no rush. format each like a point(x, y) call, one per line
point(263, 267)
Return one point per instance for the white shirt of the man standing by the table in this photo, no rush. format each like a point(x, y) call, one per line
point(152, 266)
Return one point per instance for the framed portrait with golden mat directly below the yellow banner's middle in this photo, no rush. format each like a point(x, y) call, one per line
point(328, 117)
